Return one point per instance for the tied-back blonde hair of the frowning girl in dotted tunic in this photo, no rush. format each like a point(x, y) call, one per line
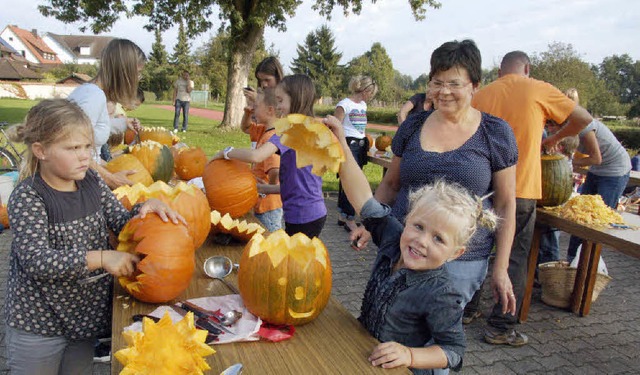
point(46, 123)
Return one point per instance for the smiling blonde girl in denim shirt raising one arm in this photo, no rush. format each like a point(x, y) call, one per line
point(409, 303)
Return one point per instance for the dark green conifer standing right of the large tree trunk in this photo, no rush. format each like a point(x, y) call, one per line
point(319, 59)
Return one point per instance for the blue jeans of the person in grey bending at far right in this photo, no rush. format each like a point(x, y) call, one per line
point(610, 188)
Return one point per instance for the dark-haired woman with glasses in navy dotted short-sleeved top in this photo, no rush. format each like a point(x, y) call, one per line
point(460, 144)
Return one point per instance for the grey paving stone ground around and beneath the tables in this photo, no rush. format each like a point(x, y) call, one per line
point(605, 342)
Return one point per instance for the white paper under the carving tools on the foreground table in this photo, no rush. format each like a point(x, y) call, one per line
point(245, 329)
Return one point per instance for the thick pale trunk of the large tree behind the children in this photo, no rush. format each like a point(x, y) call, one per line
point(239, 69)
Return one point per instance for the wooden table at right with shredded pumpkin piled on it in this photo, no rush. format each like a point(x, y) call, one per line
point(626, 241)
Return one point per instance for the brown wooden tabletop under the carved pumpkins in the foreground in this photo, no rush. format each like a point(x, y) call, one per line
point(334, 343)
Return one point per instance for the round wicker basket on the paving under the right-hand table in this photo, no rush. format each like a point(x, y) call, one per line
point(557, 280)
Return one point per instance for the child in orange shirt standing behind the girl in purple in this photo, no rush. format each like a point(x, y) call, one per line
point(269, 207)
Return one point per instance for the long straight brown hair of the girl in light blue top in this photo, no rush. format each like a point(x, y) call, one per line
point(118, 73)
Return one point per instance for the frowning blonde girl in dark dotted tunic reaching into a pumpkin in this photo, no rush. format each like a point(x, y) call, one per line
point(61, 213)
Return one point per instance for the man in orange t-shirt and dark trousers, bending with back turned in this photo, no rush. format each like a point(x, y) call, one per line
point(525, 103)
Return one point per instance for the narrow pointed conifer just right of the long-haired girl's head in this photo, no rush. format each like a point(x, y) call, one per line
point(156, 76)
